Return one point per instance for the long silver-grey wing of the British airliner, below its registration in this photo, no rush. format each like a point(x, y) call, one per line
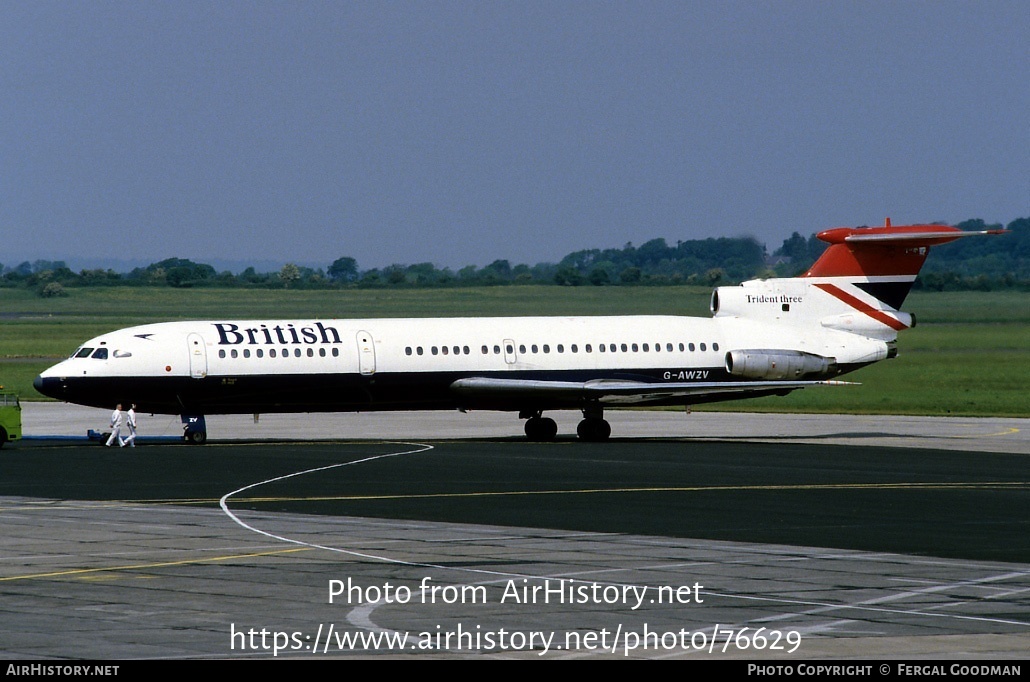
point(614, 392)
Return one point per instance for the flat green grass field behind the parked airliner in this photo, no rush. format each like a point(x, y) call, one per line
point(969, 356)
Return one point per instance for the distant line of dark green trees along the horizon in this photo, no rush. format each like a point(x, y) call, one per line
point(968, 264)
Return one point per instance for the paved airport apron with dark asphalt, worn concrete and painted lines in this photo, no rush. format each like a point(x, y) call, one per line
point(701, 536)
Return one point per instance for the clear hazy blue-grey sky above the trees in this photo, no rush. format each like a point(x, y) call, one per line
point(463, 132)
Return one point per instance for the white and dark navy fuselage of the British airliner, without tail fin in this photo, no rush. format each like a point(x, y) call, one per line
point(339, 365)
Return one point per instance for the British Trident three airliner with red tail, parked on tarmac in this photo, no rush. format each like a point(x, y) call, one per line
point(766, 337)
